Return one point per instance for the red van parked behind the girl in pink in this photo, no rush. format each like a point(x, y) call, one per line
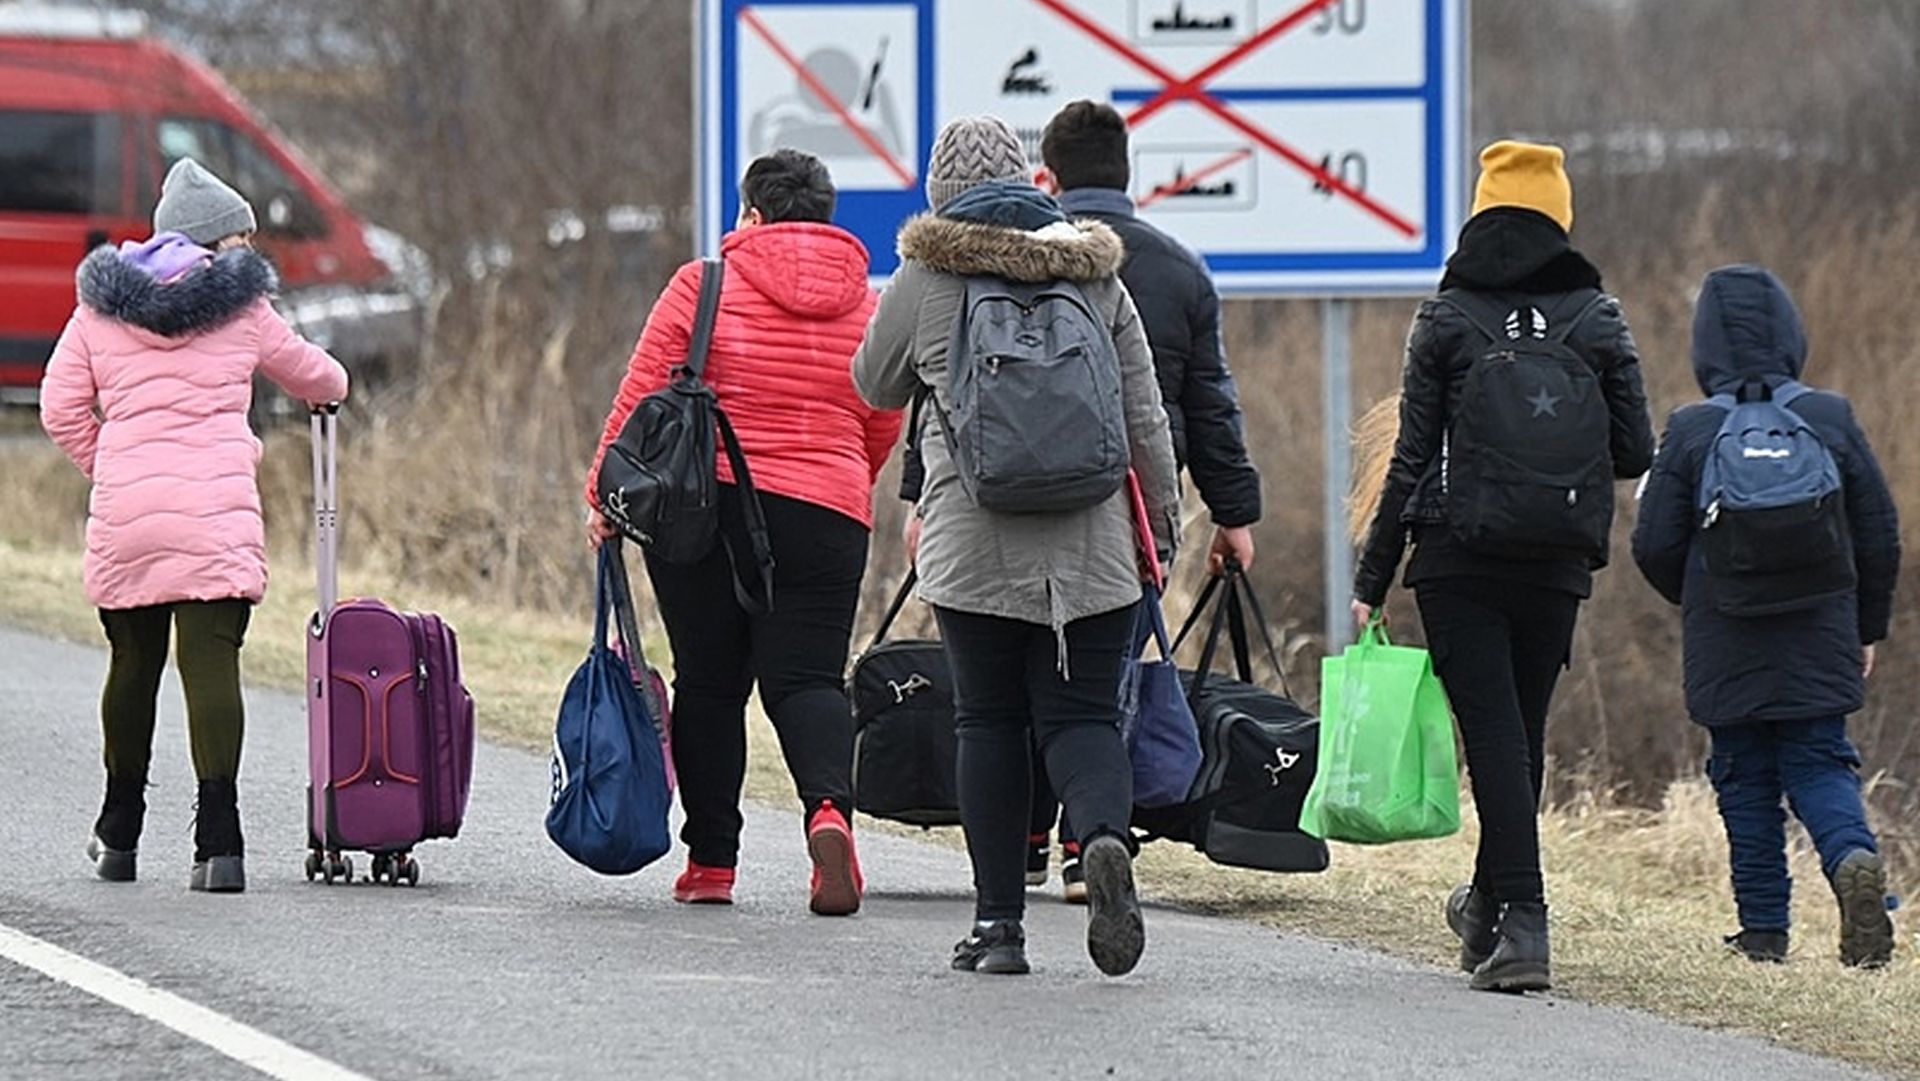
point(93, 114)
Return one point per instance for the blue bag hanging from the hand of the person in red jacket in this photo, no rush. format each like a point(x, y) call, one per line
point(610, 777)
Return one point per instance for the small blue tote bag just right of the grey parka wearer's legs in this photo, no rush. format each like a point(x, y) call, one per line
point(1157, 719)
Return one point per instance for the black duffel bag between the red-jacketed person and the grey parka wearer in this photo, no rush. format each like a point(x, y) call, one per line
point(903, 727)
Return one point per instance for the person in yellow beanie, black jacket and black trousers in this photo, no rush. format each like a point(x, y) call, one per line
point(1500, 629)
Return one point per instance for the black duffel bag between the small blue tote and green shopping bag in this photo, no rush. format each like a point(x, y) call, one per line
point(1259, 752)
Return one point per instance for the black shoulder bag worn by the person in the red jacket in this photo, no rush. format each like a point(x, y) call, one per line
point(658, 483)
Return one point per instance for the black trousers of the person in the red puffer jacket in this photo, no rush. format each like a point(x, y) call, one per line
point(796, 654)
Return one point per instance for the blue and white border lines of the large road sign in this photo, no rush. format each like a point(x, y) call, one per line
point(876, 216)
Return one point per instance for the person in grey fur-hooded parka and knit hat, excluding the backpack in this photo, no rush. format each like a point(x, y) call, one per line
point(1036, 610)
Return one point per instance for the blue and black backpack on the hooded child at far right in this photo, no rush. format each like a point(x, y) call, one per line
point(1771, 510)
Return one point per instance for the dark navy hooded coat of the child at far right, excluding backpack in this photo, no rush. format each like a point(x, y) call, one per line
point(1790, 667)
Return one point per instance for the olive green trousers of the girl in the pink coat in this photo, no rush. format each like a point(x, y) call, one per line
point(210, 635)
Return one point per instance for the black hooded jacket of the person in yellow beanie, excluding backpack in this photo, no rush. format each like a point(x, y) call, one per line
point(1514, 256)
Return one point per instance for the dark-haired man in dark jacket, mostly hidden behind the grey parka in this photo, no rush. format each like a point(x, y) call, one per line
point(1086, 156)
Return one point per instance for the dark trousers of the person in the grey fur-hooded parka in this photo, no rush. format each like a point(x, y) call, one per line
point(1011, 698)
